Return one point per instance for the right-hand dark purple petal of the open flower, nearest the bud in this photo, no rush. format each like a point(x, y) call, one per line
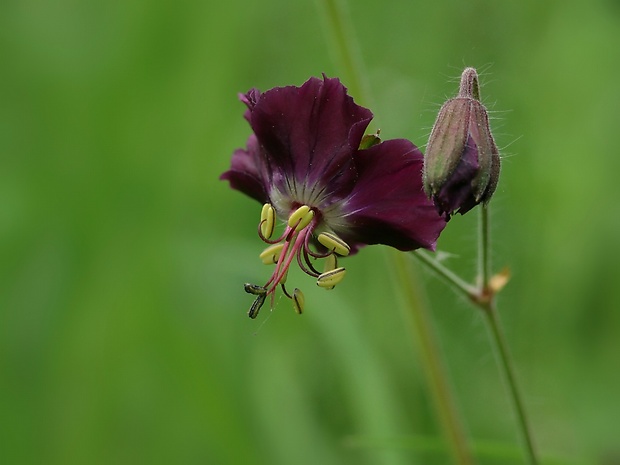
point(388, 205)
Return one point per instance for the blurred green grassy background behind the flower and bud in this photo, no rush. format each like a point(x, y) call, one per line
point(123, 328)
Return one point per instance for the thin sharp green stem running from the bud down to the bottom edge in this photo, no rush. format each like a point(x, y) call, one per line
point(487, 303)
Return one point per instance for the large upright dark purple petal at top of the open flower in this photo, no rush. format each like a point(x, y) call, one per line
point(310, 133)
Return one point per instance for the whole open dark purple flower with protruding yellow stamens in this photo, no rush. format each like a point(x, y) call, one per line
point(310, 165)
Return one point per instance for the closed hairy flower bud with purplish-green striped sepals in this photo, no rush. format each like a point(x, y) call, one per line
point(461, 166)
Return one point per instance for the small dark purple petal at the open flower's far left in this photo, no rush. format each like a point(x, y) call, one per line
point(247, 171)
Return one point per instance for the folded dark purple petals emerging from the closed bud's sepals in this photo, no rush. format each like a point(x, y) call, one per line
point(458, 192)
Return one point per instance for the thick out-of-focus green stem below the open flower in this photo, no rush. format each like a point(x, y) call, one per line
point(421, 326)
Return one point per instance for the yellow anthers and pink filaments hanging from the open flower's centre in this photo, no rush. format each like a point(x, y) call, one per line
point(296, 243)
